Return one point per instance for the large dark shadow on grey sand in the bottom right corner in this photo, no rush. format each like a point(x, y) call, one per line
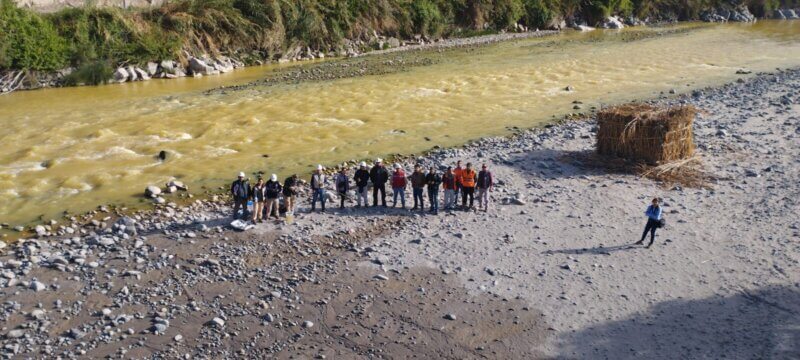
point(755, 324)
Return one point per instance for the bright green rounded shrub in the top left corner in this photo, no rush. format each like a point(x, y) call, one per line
point(28, 41)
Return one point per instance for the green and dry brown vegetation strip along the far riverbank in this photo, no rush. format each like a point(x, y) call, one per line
point(93, 39)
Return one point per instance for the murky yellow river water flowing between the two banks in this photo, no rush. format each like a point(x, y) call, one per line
point(76, 148)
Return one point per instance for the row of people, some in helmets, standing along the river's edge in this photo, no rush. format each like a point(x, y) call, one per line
point(455, 182)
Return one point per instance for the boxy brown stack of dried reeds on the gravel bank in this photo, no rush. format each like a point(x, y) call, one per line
point(642, 132)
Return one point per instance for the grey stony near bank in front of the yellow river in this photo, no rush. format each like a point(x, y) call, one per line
point(548, 272)
